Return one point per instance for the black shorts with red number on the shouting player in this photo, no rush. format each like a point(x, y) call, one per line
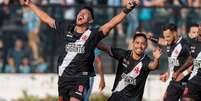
point(72, 88)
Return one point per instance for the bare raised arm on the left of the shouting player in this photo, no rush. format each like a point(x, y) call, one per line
point(41, 14)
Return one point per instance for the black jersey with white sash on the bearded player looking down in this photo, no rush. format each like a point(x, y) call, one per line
point(177, 55)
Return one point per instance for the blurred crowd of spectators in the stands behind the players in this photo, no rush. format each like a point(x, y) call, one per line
point(27, 46)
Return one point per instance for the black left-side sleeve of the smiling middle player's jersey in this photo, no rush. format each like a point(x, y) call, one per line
point(118, 53)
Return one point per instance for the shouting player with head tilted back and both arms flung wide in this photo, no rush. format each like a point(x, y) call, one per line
point(75, 64)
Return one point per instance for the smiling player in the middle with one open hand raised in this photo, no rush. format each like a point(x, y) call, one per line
point(133, 68)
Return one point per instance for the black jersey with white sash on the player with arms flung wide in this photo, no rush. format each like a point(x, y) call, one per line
point(77, 50)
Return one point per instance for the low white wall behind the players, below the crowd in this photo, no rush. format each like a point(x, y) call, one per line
point(12, 85)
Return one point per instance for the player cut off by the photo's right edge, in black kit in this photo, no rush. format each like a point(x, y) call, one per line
point(193, 89)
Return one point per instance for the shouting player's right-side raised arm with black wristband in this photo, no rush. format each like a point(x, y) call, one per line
point(119, 18)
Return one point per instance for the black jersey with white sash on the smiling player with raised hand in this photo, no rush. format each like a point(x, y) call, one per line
point(131, 74)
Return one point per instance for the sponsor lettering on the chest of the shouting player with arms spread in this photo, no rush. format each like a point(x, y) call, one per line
point(73, 47)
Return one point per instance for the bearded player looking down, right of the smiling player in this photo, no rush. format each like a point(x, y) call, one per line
point(178, 53)
